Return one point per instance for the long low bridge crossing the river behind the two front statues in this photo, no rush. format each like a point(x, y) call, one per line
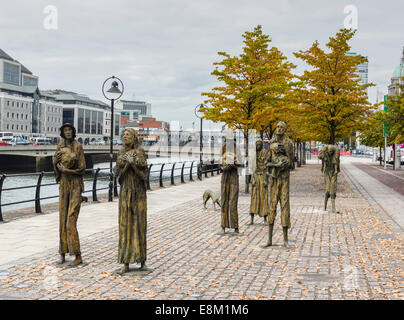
point(39, 158)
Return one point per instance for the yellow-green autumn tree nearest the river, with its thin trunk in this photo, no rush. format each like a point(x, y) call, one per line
point(253, 86)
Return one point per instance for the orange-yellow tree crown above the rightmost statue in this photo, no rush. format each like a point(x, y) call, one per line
point(335, 103)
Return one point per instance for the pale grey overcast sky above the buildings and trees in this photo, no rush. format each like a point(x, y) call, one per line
point(163, 50)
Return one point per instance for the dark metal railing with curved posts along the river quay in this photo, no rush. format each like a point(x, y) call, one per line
point(164, 172)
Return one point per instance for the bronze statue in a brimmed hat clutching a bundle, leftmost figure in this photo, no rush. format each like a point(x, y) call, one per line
point(69, 165)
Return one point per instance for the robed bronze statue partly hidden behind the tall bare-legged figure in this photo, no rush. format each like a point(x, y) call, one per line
point(259, 193)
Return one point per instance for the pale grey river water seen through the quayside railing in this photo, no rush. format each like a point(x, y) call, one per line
point(10, 196)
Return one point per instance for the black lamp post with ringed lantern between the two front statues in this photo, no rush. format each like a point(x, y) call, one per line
point(114, 94)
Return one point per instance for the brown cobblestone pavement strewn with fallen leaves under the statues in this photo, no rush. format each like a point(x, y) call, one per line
point(357, 254)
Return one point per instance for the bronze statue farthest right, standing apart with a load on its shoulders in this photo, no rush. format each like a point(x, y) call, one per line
point(329, 155)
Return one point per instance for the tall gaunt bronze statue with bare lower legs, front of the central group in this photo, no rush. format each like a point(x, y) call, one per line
point(280, 162)
